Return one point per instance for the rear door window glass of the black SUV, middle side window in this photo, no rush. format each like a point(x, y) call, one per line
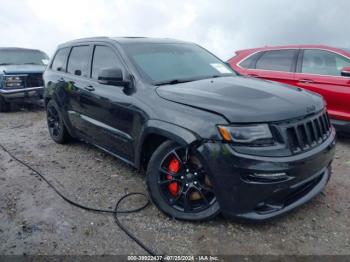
point(78, 63)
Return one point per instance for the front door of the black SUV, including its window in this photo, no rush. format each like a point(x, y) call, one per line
point(109, 110)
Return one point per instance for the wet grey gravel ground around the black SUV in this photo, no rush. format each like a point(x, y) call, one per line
point(34, 220)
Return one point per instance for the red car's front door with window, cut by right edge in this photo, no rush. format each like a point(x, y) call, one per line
point(320, 71)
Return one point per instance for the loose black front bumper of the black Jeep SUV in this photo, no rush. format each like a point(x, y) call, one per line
point(245, 190)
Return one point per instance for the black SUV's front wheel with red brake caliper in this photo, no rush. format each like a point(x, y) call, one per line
point(178, 195)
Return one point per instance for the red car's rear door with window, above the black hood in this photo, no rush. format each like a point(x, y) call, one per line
point(275, 65)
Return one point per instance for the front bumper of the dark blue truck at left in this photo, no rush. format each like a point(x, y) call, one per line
point(30, 94)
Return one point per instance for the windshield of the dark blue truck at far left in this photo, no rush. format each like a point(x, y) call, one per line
point(20, 57)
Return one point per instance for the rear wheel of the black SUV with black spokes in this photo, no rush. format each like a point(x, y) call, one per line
point(57, 129)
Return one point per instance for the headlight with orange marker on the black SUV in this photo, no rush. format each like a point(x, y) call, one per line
point(249, 134)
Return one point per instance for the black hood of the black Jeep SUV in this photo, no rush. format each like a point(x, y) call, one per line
point(241, 99)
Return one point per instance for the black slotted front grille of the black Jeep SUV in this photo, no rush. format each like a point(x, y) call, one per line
point(307, 133)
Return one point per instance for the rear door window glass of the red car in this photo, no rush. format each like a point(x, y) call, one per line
point(277, 60)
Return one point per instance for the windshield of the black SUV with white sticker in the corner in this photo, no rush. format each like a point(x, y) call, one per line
point(175, 63)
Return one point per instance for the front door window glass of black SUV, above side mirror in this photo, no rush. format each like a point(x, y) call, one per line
point(104, 57)
